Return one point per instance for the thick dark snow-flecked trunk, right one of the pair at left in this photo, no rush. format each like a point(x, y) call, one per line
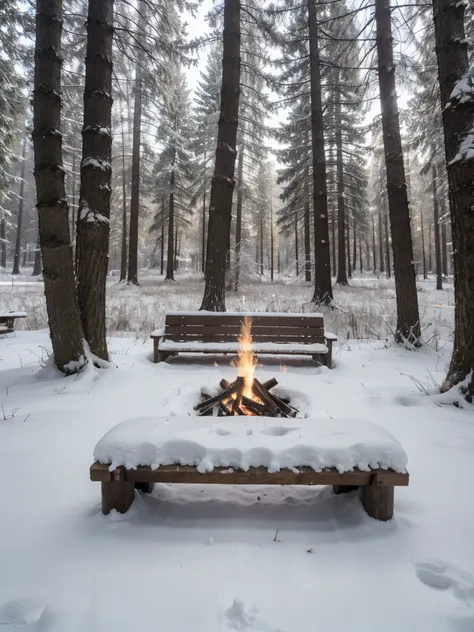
point(93, 221)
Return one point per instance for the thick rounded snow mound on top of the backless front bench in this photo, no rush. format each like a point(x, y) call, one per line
point(243, 442)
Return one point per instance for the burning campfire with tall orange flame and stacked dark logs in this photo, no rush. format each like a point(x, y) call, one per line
point(245, 396)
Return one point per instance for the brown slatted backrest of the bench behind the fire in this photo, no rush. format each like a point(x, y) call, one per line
point(226, 327)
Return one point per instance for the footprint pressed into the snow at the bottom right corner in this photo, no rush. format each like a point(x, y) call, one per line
point(444, 576)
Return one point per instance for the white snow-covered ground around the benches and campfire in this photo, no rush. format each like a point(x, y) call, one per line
point(215, 559)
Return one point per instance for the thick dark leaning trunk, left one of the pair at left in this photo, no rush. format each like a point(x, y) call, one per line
point(59, 284)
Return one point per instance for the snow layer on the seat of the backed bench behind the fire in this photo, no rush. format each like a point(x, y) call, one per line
point(233, 347)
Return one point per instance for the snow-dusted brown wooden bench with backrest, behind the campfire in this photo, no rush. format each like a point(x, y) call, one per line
point(218, 332)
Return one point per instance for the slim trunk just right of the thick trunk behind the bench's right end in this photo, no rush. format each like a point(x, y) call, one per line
point(341, 203)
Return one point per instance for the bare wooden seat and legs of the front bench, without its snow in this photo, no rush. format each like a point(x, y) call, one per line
point(376, 487)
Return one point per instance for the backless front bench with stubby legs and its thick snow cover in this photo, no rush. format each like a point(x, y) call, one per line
point(346, 454)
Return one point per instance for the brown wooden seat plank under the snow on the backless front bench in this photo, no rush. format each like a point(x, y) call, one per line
point(253, 476)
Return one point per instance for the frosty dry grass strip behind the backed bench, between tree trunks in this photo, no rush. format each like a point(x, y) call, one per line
point(365, 309)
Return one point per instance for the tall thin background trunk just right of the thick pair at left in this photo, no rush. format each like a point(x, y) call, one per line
point(135, 188)
